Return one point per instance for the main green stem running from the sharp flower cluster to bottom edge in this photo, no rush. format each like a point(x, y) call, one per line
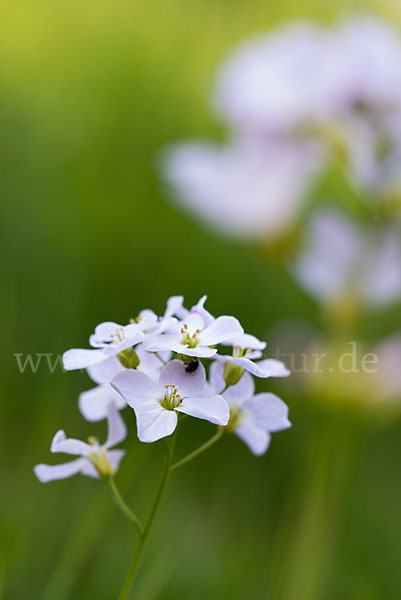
point(153, 511)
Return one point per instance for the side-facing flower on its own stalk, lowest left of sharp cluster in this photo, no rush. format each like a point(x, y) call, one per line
point(94, 460)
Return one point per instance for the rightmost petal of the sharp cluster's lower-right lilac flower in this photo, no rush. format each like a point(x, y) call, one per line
point(268, 411)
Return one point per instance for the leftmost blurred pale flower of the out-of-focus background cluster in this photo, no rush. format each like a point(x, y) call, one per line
point(247, 188)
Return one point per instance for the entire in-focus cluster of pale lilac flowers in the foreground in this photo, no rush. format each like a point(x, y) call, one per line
point(185, 362)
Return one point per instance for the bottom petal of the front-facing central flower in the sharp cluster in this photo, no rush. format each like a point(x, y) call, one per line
point(154, 422)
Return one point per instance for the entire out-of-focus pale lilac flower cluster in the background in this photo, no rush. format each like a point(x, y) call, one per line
point(303, 104)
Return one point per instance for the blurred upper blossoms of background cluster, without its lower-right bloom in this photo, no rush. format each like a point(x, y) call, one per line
point(297, 102)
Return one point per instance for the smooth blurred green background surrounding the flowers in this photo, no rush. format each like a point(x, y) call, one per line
point(89, 93)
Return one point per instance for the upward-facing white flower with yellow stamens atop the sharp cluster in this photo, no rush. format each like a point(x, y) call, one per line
point(192, 337)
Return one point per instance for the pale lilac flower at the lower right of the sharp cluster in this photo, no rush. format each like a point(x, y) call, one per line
point(253, 417)
